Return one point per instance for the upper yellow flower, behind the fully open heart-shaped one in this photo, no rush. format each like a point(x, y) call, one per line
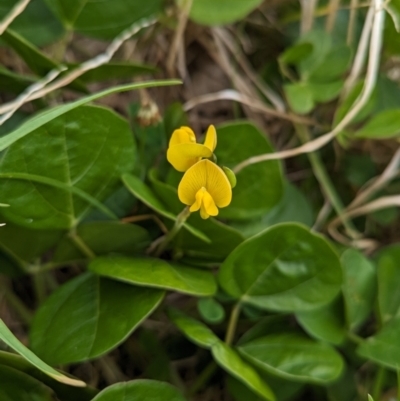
point(183, 151)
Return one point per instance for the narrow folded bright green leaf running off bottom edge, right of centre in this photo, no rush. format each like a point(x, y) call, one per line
point(230, 361)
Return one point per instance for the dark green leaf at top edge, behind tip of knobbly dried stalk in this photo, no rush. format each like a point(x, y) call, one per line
point(113, 16)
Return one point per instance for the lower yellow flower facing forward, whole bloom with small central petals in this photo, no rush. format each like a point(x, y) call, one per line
point(205, 187)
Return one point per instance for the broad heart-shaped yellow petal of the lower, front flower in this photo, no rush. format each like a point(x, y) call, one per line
point(208, 175)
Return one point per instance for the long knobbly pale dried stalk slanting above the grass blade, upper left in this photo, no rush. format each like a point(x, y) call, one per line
point(82, 68)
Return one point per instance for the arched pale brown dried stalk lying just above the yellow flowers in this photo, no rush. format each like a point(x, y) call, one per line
point(231, 94)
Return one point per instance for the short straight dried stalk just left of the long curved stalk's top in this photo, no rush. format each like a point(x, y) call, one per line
point(361, 53)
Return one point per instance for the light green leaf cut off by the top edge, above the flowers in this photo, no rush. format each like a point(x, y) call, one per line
point(209, 12)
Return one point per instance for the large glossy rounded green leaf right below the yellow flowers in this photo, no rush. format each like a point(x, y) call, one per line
point(284, 268)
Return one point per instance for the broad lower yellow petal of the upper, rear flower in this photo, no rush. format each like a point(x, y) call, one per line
point(185, 155)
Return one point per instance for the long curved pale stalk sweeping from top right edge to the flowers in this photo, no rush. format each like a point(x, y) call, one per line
point(369, 84)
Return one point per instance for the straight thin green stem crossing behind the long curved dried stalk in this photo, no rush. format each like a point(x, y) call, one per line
point(325, 181)
